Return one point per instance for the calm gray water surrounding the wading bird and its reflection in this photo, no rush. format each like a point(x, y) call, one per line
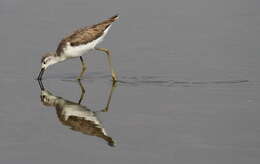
point(188, 91)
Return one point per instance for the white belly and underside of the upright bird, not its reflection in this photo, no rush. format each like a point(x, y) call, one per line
point(76, 51)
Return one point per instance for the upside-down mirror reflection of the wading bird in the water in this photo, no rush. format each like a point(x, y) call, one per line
point(77, 116)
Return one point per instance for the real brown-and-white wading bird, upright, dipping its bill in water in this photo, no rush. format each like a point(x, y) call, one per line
point(77, 44)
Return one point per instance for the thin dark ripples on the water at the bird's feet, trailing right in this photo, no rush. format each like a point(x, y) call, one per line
point(162, 81)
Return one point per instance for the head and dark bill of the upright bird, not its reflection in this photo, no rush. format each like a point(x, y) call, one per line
point(47, 60)
